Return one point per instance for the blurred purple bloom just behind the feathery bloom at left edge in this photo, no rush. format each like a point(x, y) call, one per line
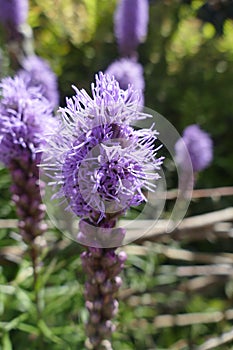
point(38, 73)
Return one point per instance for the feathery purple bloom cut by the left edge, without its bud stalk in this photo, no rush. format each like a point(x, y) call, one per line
point(25, 116)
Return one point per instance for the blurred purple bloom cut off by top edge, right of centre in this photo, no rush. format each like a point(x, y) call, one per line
point(131, 21)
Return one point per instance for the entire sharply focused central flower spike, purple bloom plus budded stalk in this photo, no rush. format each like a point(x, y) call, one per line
point(100, 164)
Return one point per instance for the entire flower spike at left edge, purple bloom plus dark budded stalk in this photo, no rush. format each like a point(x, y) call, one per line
point(25, 118)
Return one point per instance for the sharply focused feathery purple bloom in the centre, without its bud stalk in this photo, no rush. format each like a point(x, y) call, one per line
point(101, 163)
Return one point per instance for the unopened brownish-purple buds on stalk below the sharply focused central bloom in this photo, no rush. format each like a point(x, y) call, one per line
point(102, 267)
